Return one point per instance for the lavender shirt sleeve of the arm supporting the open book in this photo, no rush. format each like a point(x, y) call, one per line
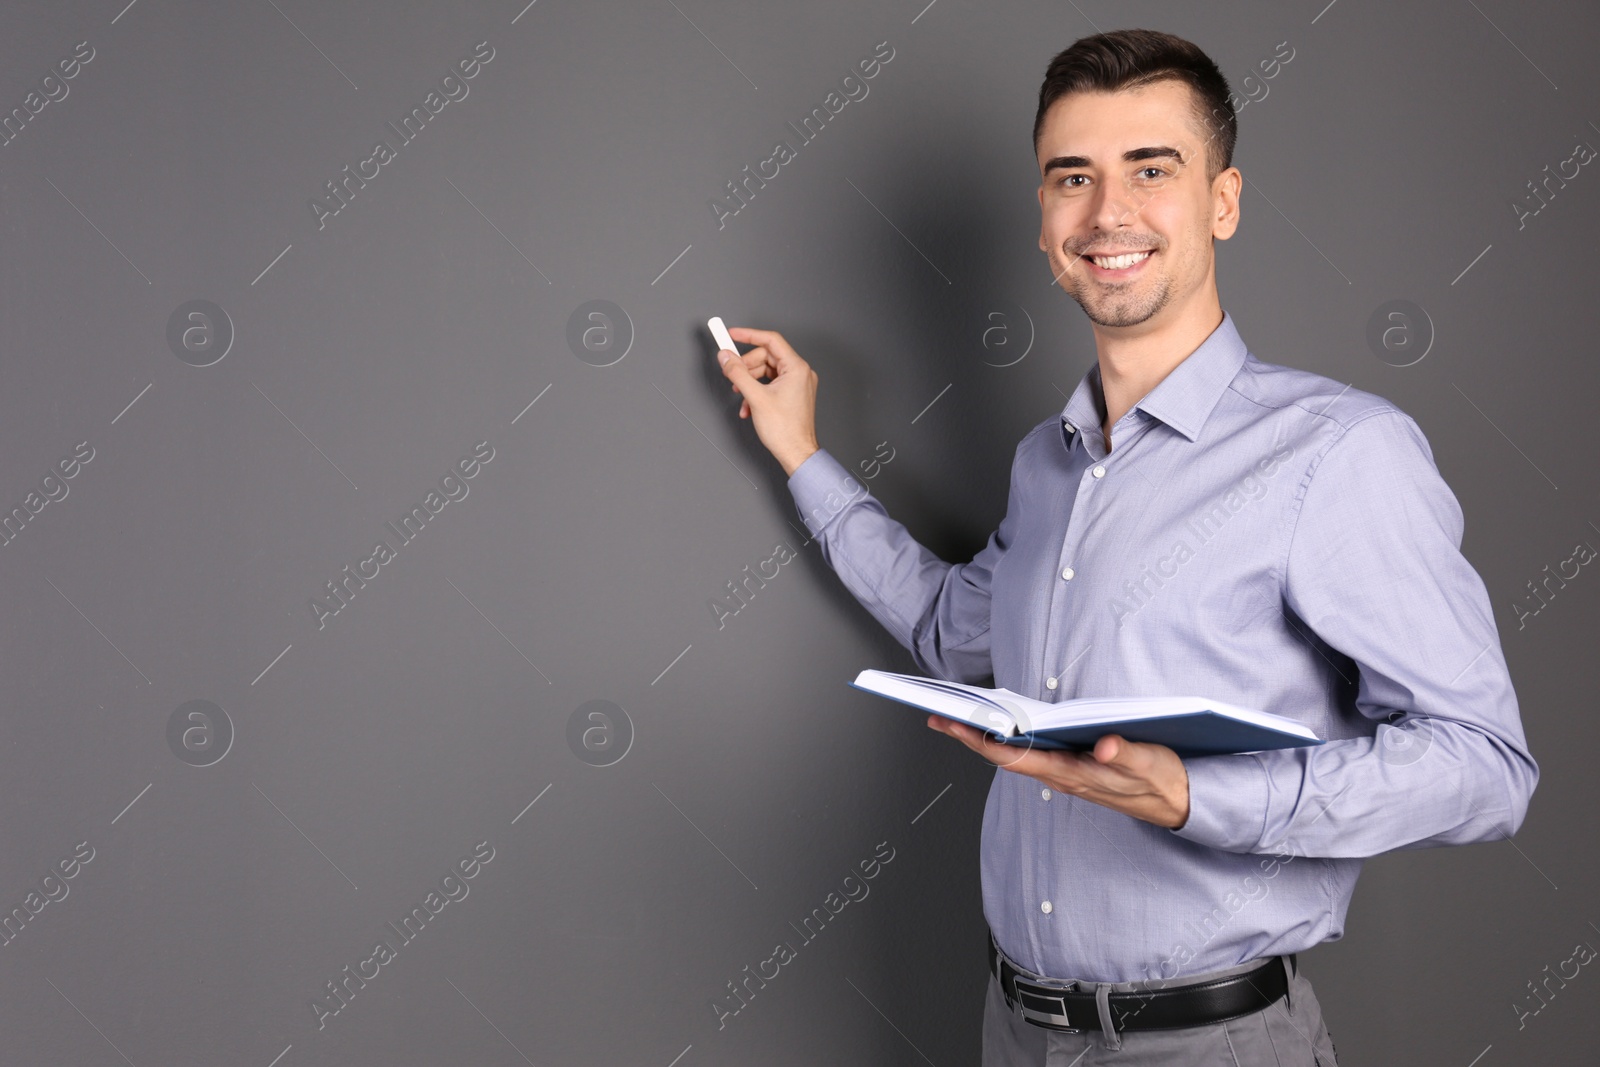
point(1375, 570)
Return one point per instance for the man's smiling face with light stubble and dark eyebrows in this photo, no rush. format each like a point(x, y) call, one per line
point(1126, 174)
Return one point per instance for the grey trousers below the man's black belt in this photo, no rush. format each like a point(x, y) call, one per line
point(1287, 1034)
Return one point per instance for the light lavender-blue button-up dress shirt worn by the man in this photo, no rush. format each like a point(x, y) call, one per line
point(1257, 535)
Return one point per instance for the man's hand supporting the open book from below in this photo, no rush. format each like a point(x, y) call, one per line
point(1140, 780)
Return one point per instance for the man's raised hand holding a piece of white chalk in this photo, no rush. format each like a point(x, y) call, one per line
point(785, 409)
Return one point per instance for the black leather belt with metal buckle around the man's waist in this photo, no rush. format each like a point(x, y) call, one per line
point(1150, 1010)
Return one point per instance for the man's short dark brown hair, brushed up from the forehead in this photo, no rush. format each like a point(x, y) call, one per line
point(1129, 60)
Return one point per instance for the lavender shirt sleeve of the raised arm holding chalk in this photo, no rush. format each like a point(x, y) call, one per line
point(937, 610)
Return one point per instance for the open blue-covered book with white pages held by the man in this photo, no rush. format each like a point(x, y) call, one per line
point(1190, 725)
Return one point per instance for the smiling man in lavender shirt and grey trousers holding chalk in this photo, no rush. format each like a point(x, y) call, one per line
point(1194, 522)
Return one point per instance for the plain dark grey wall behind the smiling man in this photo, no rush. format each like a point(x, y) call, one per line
point(431, 713)
